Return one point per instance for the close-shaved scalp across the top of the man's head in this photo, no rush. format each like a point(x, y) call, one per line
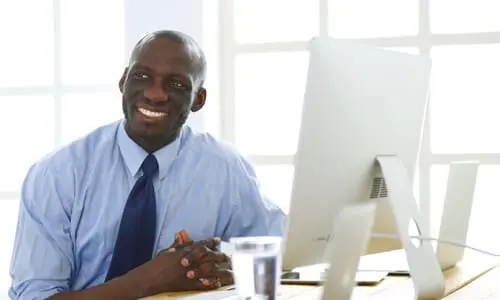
point(191, 47)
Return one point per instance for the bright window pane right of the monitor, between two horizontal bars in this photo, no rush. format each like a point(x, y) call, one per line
point(465, 102)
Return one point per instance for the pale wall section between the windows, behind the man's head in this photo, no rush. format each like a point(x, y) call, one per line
point(188, 16)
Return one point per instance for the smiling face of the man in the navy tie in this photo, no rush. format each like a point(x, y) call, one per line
point(159, 91)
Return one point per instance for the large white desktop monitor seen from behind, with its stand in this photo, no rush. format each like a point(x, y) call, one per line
point(360, 135)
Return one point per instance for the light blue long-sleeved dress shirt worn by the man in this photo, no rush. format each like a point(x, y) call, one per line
point(72, 203)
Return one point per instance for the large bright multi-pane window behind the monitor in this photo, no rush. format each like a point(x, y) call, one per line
point(263, 71)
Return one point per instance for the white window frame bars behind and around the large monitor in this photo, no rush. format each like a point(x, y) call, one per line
point(424, 40)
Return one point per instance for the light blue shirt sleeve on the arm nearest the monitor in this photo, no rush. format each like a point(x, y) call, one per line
point(252, 213)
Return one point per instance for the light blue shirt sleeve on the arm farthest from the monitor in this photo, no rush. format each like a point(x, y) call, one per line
point(42, 259)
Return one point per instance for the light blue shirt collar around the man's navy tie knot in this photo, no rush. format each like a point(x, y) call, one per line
point(134, 155)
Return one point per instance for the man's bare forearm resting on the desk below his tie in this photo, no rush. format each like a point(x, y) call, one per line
point(129, 286)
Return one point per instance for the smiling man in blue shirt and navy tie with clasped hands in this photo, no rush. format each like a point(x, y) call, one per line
point(96, 215)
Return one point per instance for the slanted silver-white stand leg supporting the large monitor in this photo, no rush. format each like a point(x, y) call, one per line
point(423, 265)
